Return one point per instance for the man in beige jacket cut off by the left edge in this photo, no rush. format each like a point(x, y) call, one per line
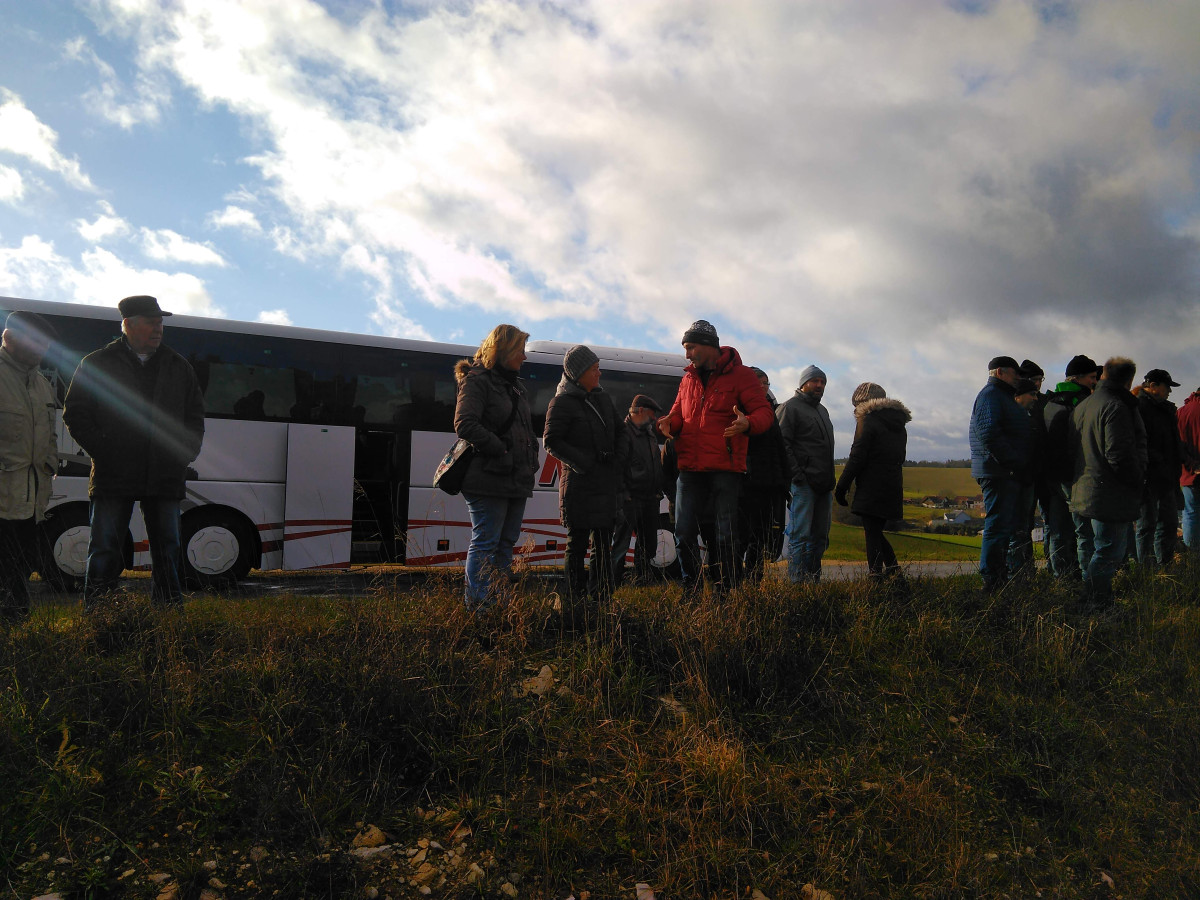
point(29, 454)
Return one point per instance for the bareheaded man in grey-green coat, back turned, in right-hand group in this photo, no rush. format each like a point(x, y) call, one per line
point(1109, 442)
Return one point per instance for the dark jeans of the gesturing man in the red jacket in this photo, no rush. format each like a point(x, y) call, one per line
point(700, 495)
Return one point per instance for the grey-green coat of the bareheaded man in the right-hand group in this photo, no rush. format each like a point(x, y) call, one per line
point(1111, 457)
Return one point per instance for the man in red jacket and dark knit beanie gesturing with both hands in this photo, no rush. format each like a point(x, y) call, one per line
point(719, 405)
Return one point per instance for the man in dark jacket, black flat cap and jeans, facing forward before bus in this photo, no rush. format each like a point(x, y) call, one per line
point(136, 409)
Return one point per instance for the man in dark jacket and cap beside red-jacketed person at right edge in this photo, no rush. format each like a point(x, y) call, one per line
point(1159, 521)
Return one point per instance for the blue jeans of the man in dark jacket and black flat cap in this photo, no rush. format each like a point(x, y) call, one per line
point(110, 520)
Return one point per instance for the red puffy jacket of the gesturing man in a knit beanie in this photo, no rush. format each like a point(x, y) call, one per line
point(703, 411)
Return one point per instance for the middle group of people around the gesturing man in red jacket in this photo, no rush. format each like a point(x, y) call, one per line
point(728, 457)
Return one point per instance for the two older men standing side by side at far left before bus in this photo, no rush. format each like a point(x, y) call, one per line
point(137, 410)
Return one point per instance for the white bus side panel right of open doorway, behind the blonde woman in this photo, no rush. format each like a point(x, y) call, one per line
point(440, 527)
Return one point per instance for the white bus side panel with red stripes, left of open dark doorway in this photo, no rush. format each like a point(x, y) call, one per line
point(320, 499)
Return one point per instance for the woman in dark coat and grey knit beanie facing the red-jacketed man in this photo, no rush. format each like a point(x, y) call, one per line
point(585, 434)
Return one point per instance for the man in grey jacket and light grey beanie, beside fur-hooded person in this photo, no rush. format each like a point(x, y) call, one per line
point(808, 439)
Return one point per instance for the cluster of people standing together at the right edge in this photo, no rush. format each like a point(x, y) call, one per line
point(1109, 463)
